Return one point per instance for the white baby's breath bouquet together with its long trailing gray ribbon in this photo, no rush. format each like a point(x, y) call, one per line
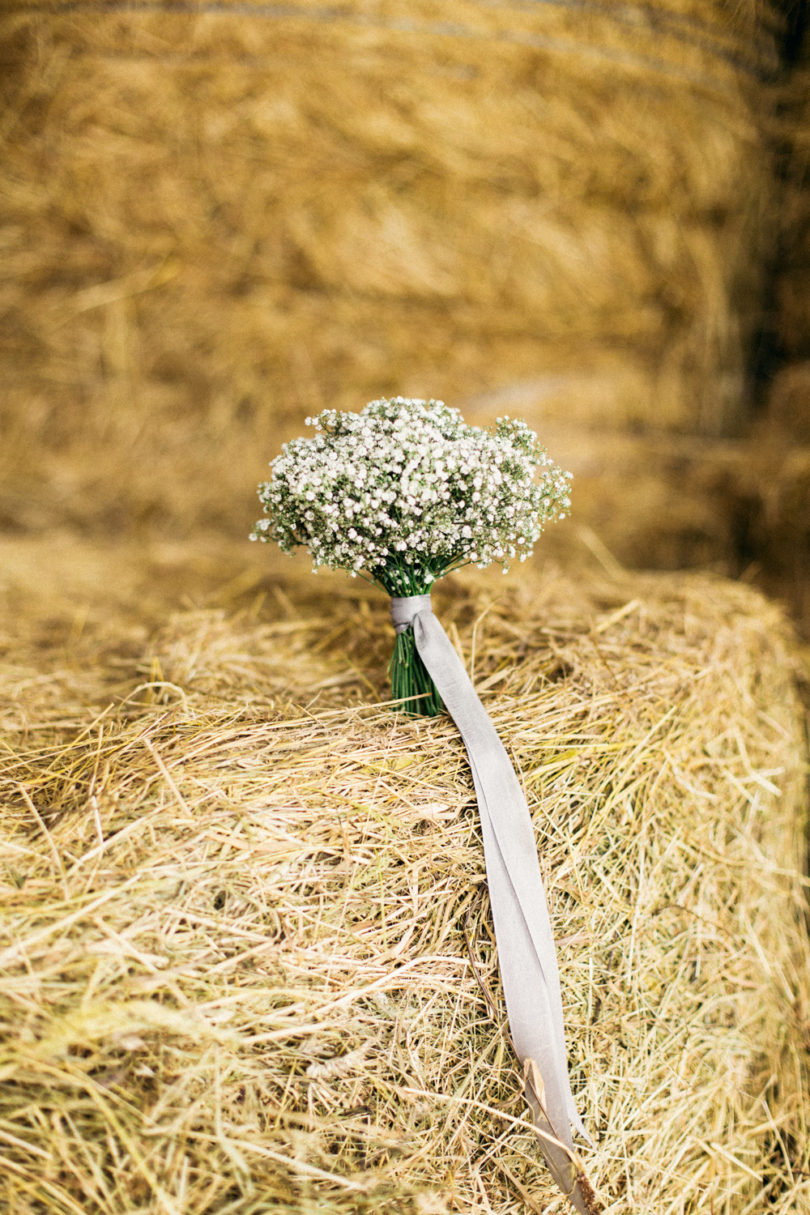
point(401, 495)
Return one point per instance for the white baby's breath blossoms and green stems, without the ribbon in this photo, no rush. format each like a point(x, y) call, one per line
point(406, 493)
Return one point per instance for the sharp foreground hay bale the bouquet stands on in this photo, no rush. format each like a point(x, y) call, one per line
point(247, 957)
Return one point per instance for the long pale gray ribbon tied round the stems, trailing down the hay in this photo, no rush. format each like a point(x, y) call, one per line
point(526, 953)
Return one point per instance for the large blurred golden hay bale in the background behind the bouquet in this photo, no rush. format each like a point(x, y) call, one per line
point(217, 223)
